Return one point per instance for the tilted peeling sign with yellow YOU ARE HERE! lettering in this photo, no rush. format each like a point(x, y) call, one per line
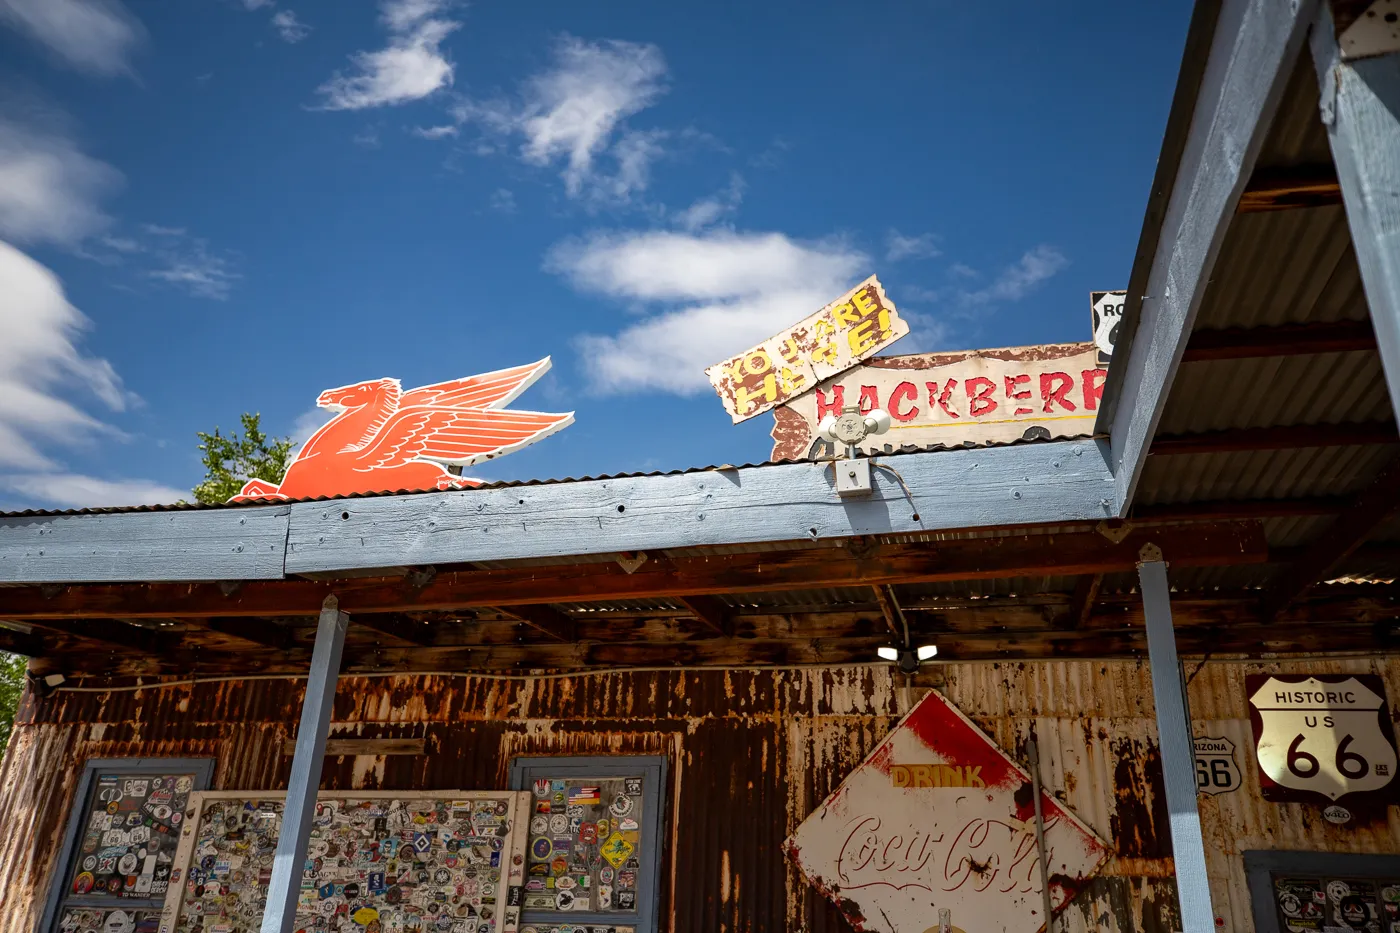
point(856, 327)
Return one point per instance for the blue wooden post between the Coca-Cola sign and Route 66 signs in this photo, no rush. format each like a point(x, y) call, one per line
point(1178, 752)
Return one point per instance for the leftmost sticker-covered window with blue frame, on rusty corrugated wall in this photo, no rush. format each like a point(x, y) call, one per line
point(120, 848)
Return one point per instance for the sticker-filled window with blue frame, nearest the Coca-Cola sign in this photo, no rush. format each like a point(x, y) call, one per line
point(594, 851)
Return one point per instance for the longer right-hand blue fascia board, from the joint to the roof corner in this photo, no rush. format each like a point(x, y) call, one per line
point(1027, 484)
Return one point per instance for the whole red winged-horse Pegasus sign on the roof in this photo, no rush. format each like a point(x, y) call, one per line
point(386, 439)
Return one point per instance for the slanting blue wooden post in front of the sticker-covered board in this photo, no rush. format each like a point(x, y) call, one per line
point(306, 770)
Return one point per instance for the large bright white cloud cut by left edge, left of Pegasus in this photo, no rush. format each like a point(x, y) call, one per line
point(41, 365)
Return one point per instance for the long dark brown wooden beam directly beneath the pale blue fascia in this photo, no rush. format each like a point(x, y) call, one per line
point(912, 562)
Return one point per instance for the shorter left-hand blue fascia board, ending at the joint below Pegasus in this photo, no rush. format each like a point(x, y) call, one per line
point(209, 544)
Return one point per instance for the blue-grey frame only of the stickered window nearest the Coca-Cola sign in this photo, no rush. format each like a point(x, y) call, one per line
point(526, 770)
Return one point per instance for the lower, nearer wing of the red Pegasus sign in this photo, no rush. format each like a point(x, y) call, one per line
point(456, 435)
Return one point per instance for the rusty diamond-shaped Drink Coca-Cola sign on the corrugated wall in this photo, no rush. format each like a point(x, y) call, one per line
point(940, 823)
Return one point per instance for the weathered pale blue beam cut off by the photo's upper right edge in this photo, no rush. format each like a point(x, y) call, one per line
point(1361, 111)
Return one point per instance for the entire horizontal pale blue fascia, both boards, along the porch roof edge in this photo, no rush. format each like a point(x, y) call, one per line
point(1020, 485)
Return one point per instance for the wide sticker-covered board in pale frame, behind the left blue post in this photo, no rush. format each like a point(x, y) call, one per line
point(376, 864)
